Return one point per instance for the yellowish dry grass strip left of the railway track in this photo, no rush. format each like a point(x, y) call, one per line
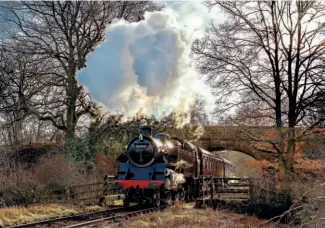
point(19, 215)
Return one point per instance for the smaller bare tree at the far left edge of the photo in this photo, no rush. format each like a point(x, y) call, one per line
point(21, 86)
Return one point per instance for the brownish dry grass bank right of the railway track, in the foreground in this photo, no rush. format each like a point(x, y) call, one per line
point(184, 215)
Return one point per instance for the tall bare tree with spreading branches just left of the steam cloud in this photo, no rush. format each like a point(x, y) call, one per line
point(62, 34)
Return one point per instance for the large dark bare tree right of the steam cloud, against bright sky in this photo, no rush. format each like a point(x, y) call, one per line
point(272, 52)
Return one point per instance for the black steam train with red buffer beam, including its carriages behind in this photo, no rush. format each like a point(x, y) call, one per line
point(155, 168)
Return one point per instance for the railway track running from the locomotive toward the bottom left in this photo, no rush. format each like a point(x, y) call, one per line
point(92, 218)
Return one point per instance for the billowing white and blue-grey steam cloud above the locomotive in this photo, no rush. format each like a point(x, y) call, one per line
point(145, 66)
